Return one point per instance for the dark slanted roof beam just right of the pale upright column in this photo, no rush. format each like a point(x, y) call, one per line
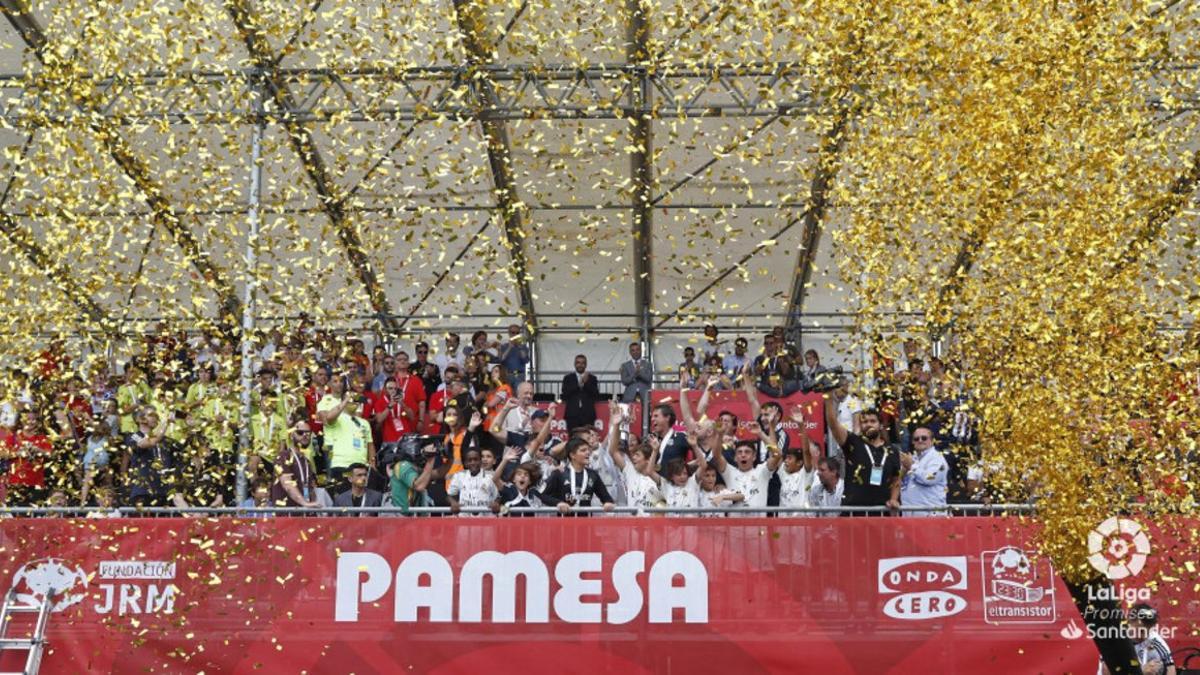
point(311, 159)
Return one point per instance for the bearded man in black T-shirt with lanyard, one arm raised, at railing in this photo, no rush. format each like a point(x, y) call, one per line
point(873, 467)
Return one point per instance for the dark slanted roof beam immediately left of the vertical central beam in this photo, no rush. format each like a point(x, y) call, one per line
point(472, 27)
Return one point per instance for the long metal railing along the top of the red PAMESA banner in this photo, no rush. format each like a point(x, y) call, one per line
point(433, 512)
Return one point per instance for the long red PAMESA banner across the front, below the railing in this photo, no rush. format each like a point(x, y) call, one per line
point(448, 595)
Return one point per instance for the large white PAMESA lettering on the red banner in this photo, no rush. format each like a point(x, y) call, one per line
point(427, 581)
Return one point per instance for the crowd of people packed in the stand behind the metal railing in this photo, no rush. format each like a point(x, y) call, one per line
point(455, 426)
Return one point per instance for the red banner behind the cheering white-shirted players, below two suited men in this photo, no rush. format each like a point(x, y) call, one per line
point(723, 402)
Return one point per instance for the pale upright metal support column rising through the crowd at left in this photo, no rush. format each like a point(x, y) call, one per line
point(248, 312)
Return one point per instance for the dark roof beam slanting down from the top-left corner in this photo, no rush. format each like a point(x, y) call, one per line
point(164, 214)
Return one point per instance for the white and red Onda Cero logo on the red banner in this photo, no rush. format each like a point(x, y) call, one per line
point(921, 588)
